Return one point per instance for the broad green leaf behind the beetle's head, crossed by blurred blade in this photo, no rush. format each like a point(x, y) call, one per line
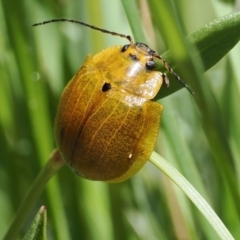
point(212, 41)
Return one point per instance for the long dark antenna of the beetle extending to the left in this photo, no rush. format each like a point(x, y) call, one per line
point(129, 38)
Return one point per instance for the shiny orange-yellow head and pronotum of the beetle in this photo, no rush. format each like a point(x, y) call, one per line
point(133, 66)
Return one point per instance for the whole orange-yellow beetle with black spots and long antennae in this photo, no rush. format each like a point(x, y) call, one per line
point(107, 124)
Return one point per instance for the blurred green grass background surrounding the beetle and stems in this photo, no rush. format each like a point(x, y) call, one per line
point(199, 136)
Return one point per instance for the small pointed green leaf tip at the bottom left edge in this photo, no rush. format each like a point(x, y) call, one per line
point(37, 230)
